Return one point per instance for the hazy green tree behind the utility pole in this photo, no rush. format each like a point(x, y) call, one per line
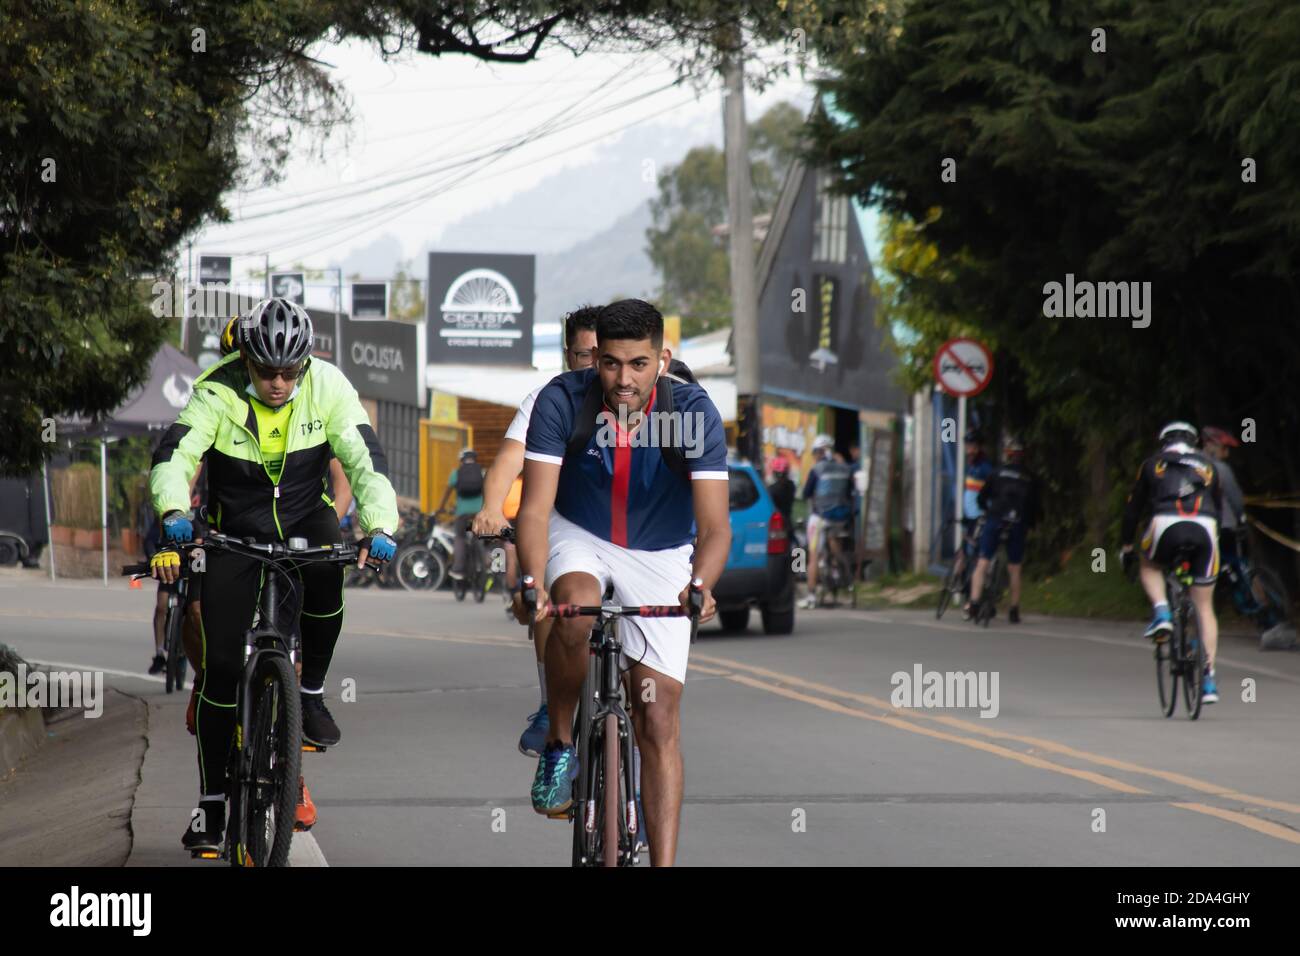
point(694, 262)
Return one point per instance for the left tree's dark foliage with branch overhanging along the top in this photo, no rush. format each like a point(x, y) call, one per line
point(150, 113)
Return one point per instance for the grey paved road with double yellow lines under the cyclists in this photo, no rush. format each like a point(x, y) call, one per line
point(795, 754)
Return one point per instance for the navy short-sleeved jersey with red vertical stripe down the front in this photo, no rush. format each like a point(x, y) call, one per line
point(622, 491)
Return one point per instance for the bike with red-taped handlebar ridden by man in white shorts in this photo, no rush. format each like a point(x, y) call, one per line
point(605, 807)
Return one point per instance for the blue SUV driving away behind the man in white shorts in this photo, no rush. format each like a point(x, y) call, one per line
point(759, 569)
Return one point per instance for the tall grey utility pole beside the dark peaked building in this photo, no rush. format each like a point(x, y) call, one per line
point(740, 214)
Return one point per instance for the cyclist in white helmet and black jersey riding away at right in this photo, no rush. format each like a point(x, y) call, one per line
point(1181, 490)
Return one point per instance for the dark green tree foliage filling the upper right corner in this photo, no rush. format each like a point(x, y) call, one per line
point(1117, 166)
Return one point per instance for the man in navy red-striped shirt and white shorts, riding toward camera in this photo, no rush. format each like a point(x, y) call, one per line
point(630, 513)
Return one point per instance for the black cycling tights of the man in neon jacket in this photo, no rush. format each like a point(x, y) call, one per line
point(231, 589)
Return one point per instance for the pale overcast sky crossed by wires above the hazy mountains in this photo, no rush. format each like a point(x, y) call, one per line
point(423, 149)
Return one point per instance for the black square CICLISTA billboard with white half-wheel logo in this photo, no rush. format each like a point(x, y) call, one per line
point(482, 309)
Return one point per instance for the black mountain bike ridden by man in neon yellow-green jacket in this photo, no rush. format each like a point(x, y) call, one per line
point(267, 750)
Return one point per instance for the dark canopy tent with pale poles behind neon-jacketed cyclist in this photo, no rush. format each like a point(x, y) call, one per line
point(154, 406)
